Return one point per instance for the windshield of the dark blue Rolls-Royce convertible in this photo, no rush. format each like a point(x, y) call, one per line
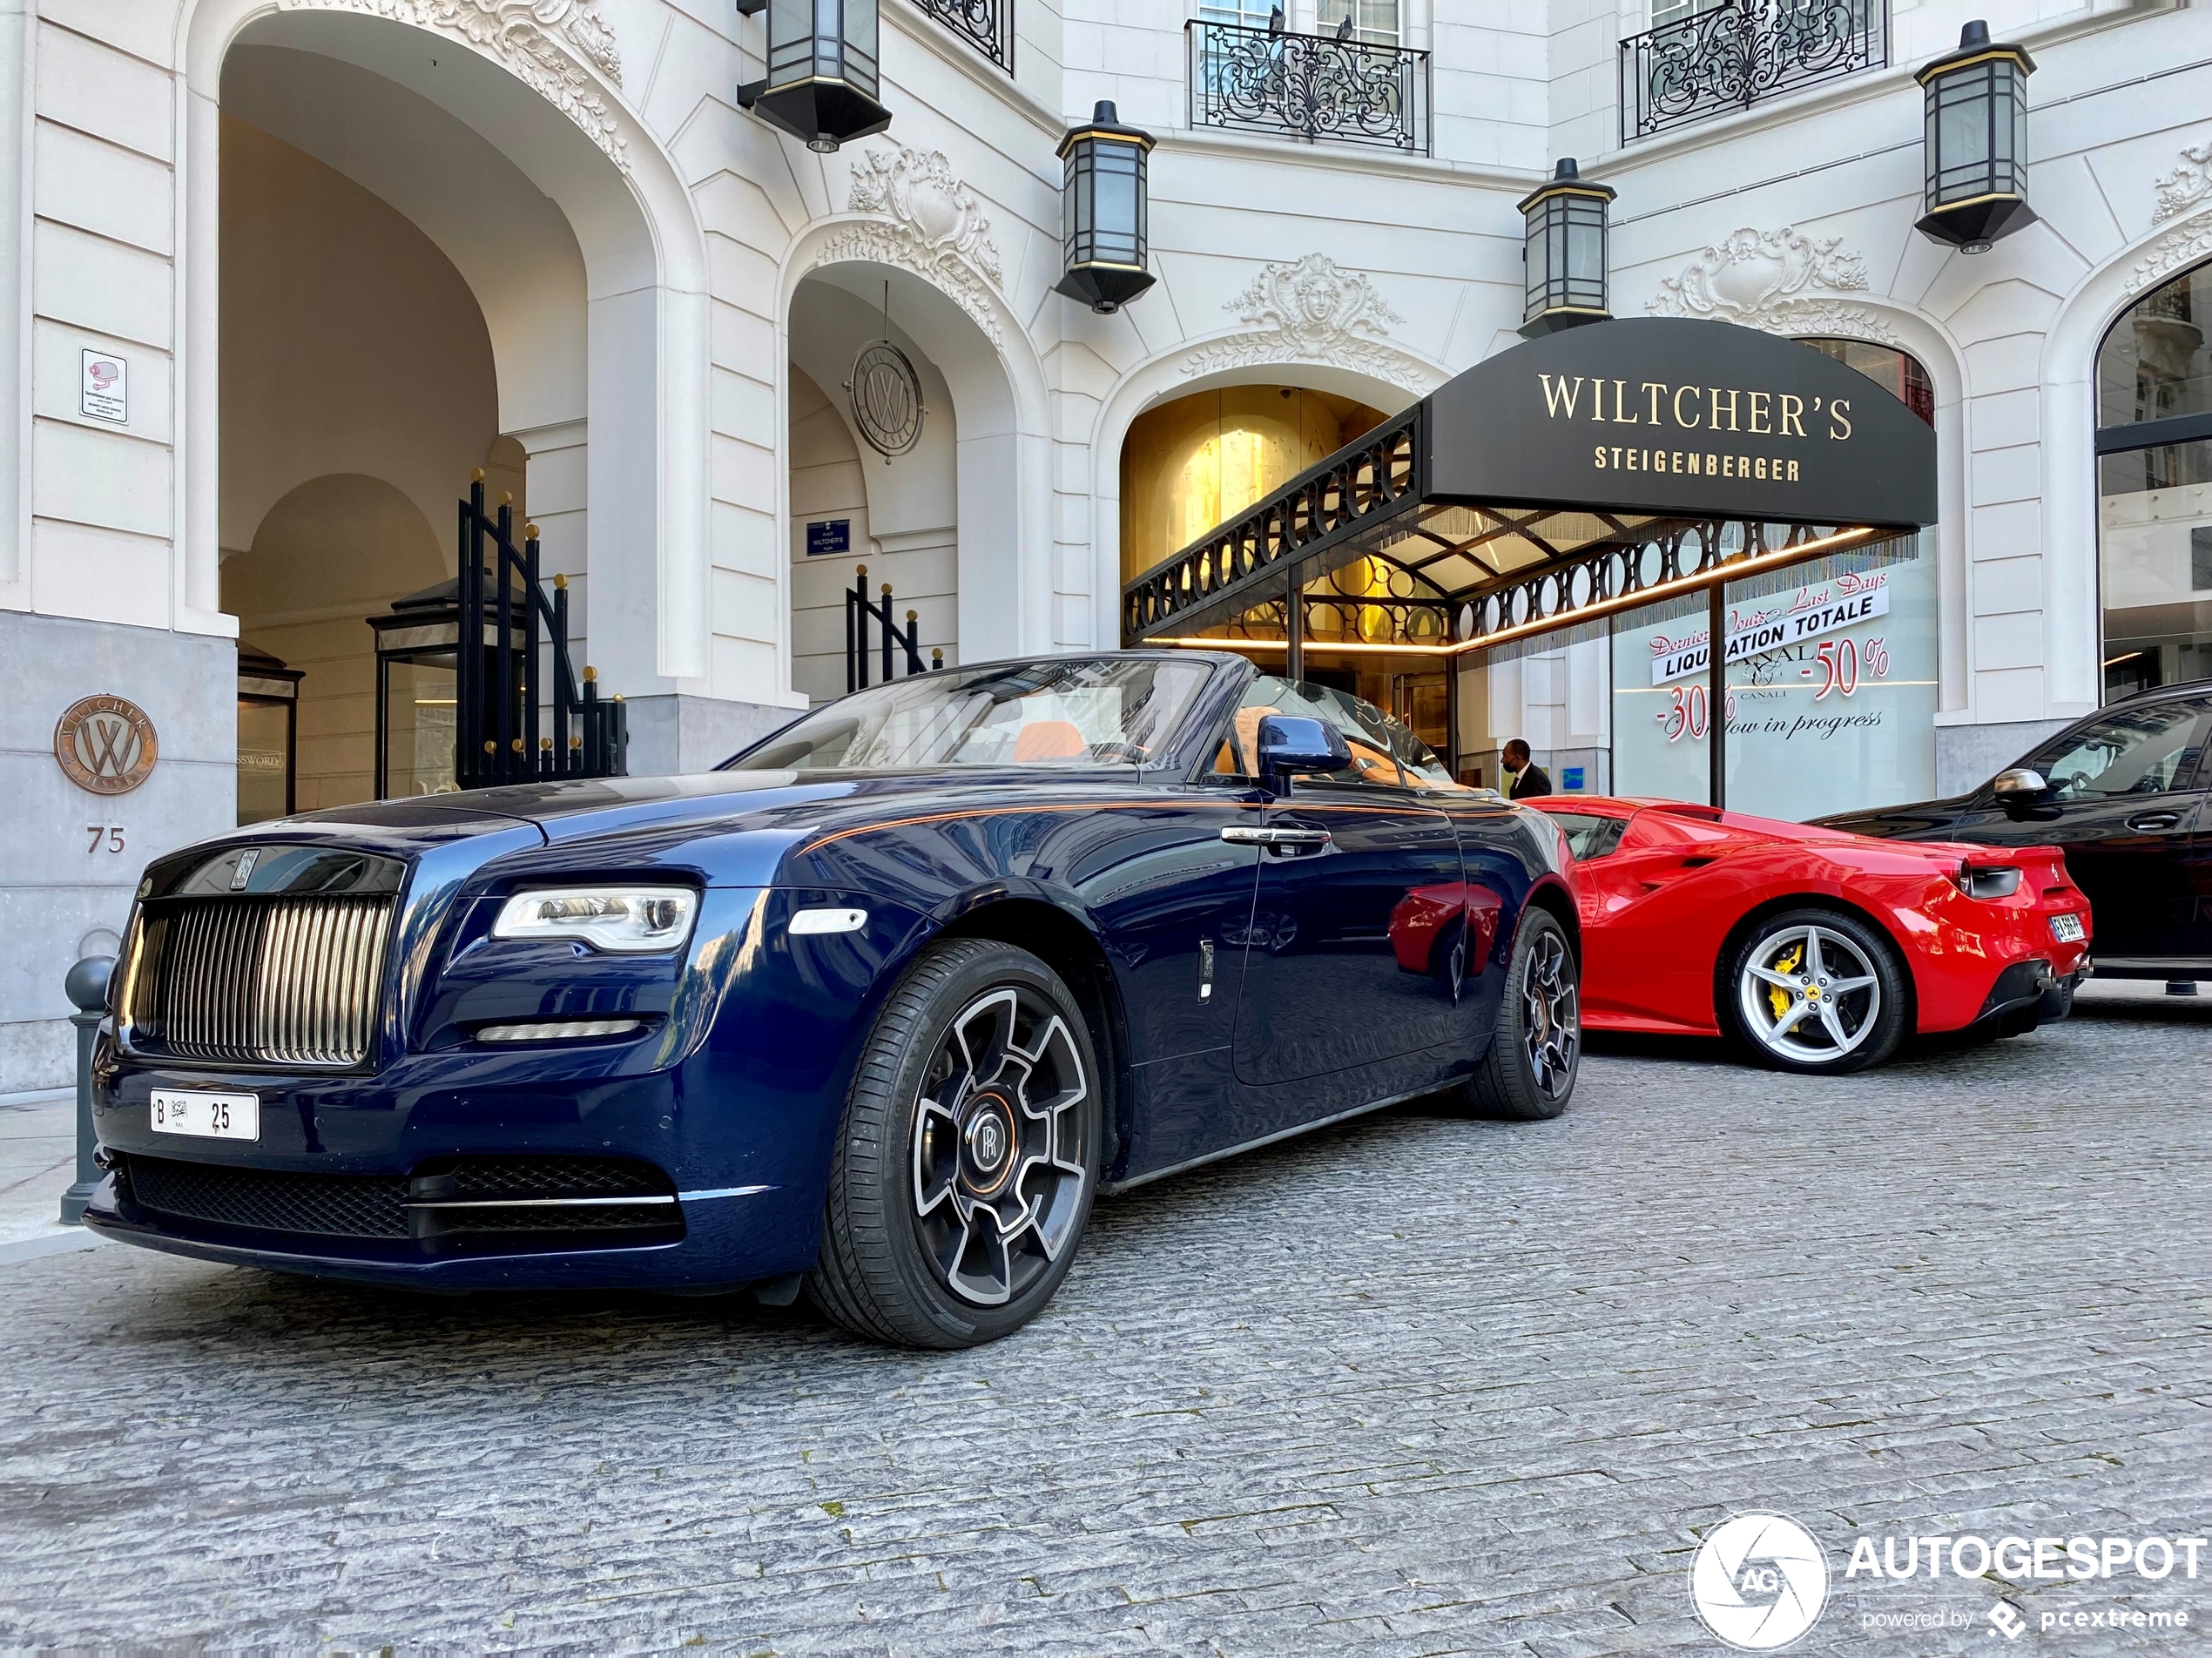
point(1067, 713)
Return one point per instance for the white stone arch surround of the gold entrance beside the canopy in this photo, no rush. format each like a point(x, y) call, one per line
point(1171, 375)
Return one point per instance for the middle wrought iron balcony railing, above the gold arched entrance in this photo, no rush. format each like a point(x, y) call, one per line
point(1308, 87)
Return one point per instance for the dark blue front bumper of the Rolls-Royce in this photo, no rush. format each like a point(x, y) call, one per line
point(740, 1157)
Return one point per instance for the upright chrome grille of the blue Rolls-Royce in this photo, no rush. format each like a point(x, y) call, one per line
point(255, 978)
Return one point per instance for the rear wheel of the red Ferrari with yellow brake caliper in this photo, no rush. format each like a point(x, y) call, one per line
point(1822, 969)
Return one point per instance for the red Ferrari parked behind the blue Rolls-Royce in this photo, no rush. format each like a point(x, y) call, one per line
point(1813, 947)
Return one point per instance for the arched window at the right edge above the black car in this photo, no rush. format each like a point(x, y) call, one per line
point(2156, 490)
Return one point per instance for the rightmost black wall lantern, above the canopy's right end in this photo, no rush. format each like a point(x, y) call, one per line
point(1976, 143)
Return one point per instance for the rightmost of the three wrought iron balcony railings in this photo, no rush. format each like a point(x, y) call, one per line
point(1742, 52)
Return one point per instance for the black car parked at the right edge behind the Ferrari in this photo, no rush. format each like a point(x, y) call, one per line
point(2122, 793)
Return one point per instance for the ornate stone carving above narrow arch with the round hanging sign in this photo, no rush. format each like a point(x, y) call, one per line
point(926, 222)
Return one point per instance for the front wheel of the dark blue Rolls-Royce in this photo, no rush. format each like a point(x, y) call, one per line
point(968, 1155)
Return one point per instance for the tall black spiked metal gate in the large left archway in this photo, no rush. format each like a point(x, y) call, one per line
point(510, 731)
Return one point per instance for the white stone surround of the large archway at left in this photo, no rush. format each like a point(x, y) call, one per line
point(550, 109)
